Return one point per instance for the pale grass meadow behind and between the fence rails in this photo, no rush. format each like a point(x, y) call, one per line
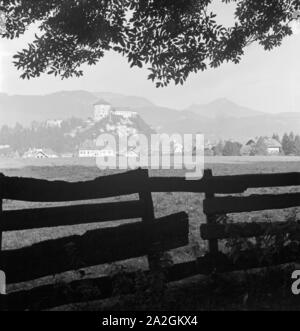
point(165, 204)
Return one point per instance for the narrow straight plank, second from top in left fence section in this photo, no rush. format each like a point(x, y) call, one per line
point(15, 220)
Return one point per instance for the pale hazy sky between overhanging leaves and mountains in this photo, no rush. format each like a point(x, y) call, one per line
point(266, 81)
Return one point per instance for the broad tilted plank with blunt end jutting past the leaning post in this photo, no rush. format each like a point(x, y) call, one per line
point(94, 248)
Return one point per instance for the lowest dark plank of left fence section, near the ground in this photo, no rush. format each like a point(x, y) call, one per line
point(54, 295)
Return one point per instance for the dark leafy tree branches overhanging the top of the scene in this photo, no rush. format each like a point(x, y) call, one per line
point(173, 38)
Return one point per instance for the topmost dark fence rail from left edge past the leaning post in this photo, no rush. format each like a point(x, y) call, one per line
point(38, 190)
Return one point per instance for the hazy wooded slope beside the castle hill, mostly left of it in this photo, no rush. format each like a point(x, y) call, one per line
point(63, 138)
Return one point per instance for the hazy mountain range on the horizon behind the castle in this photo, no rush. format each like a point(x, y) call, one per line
point(221, 118)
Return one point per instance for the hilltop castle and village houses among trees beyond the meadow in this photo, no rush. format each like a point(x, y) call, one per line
point(119, 121)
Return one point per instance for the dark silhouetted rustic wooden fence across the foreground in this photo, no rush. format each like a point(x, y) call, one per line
point(147, 238)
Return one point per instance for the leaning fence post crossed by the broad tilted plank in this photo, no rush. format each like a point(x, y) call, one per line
point(154, 253)
